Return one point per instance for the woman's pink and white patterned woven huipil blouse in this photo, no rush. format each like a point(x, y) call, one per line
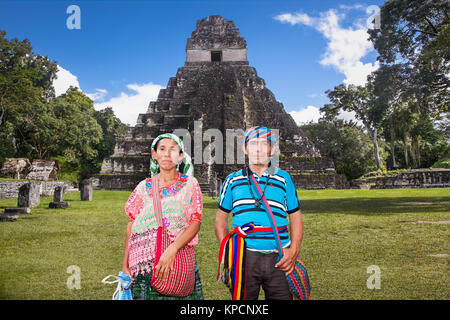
point(181, 204)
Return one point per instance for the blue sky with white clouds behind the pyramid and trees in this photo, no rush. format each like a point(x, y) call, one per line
point(126, 51)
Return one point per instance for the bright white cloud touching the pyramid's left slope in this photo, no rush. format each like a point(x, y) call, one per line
point(126, 106)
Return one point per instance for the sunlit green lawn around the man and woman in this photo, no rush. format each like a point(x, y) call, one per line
point(345, 231)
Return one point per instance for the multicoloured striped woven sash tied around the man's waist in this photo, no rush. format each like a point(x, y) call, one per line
point(232, 265)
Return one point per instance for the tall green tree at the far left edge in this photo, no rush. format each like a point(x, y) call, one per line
point(25, 86)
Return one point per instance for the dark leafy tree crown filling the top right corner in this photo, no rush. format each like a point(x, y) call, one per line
point(415, 34)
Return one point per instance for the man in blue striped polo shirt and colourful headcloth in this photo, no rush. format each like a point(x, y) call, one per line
point(259, 259)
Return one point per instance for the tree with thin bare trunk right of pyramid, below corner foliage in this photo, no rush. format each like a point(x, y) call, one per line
point(406, 125)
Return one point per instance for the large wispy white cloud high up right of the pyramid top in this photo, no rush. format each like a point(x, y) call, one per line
point(346, 46)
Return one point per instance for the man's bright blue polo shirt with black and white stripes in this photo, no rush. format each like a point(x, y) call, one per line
point(281, 194)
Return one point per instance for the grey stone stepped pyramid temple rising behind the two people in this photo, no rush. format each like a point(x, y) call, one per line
point(215, 91)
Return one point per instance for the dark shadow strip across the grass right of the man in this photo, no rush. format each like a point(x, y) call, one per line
point(375, 206)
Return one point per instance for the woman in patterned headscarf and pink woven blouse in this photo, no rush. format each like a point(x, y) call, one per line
point(182, 206)
